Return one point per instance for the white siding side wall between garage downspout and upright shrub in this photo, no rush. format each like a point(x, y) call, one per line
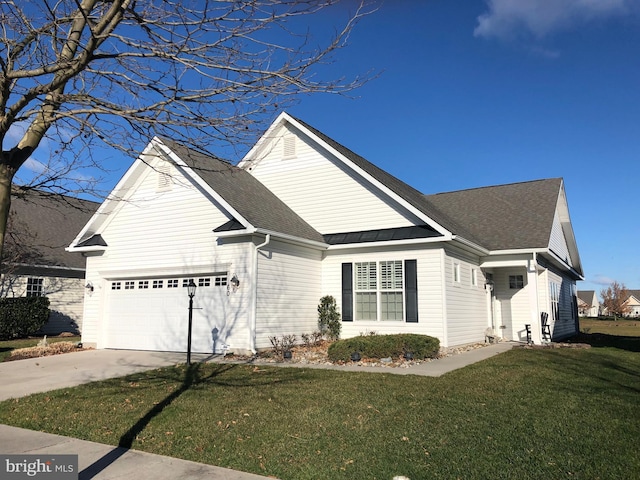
point(289, 279)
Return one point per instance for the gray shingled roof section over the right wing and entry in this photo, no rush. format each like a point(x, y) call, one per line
point(504, 217)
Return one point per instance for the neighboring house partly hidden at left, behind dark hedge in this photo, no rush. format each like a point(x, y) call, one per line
point(35, 262)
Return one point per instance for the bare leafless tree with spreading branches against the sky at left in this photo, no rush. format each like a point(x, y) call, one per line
point(80, 73)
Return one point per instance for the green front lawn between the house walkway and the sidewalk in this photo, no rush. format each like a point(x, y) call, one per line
point(526, 414)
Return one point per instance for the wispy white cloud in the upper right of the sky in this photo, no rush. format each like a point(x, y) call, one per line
point(540, 18)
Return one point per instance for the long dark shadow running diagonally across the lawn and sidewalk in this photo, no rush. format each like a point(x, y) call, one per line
point(192, 378)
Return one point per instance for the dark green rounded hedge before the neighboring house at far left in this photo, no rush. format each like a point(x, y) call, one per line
point(22, 316)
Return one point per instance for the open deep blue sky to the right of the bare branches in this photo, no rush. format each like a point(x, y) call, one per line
point(474, 93)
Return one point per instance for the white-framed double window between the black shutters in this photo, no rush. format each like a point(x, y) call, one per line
point(381, 281)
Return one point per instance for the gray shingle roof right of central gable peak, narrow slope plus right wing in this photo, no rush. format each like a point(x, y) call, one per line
point(514, 216)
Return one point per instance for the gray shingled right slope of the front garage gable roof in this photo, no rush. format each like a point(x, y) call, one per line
point(245, 194)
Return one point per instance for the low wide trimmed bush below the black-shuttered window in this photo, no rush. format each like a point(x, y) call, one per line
point(383, 346)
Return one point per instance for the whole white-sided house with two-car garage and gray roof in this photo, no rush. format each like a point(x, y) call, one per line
point(301, 217)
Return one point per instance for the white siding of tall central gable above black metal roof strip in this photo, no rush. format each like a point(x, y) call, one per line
point(347, 203)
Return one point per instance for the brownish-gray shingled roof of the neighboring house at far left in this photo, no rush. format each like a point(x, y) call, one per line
point(43, 224)
